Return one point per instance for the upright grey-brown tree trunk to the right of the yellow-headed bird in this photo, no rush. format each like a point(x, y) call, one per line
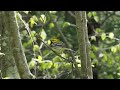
point(84, 45)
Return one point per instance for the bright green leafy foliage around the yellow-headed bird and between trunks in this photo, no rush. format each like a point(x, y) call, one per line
point(44, 63)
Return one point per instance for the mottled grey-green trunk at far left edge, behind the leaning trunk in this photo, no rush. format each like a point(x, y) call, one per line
point(7, 62)
